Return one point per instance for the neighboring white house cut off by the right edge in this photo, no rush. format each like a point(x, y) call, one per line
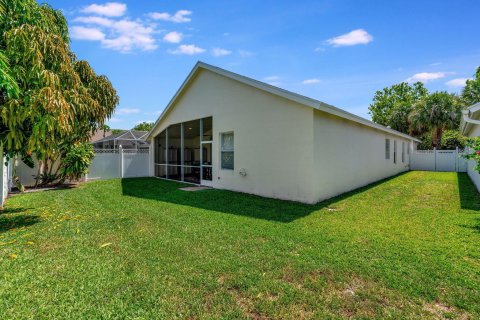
point(470, 127)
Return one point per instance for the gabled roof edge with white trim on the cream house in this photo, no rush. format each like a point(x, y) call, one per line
point(316, 104)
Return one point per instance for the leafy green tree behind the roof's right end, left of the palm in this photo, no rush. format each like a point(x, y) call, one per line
point(391, 106)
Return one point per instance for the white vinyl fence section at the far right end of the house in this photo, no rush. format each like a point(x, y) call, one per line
point(438, 160)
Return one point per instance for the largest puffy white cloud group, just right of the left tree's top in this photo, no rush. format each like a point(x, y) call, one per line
point(123, 35)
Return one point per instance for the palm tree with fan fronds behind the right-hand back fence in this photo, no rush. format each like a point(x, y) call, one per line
point(435, 113)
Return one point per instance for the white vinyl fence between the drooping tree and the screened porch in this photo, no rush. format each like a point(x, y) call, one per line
point(111, 164)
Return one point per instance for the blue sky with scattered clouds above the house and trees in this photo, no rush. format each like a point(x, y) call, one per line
point(339, 52)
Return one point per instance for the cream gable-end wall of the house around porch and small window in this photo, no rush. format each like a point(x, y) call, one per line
point(273, 136)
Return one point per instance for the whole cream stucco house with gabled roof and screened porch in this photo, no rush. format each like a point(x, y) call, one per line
point(231, 132)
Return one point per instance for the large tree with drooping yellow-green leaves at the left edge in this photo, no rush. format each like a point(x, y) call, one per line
point(49, 100)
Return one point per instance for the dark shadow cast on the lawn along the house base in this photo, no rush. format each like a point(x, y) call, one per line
point(228, 201)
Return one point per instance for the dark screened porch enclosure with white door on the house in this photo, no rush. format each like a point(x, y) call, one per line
point(183, 152)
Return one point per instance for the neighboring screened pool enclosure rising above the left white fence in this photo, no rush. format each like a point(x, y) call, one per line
point(128, 139)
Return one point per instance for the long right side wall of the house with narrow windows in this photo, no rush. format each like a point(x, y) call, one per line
point(350, 155)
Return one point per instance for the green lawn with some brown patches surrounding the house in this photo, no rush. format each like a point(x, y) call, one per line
point(407, 247)
